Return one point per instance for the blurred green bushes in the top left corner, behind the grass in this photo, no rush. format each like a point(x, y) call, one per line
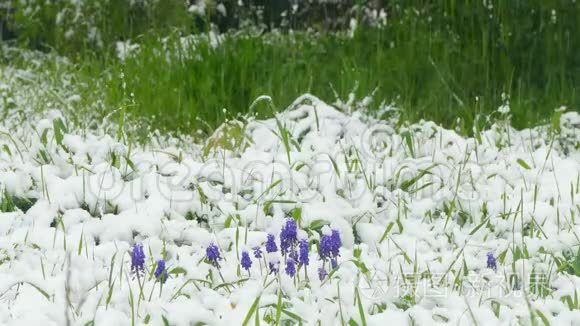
point(73, 27)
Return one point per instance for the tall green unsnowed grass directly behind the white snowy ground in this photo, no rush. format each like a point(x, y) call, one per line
point(446, 61)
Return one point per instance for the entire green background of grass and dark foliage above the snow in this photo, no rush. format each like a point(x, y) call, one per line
point(448, 61)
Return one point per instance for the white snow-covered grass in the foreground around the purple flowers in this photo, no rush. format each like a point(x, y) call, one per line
point(434, 227)
